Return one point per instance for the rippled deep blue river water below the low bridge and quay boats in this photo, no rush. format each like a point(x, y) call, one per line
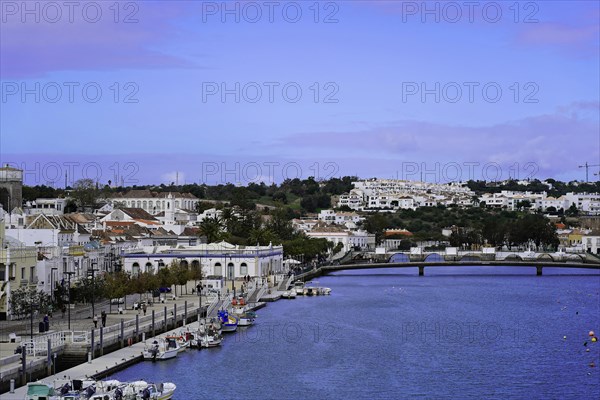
point(463, 333)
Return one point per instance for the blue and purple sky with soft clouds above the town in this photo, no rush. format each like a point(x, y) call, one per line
point(214, 92)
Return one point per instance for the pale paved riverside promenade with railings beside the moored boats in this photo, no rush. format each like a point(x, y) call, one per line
point(125, 327)
